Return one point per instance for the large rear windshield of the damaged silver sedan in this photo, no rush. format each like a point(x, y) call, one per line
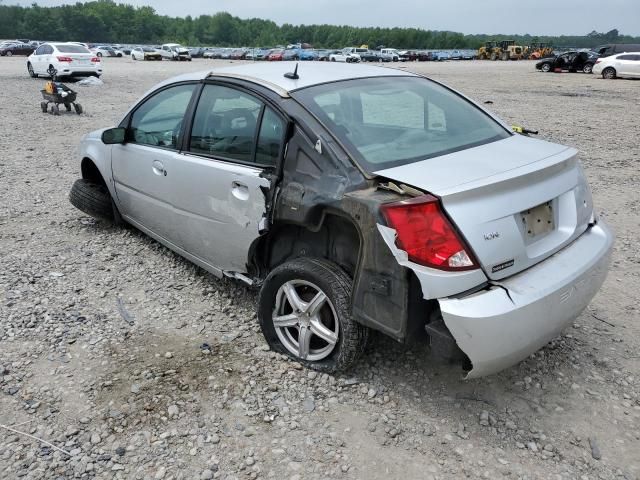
point(389, 121)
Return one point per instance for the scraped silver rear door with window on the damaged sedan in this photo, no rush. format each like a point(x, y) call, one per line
point(225, 176)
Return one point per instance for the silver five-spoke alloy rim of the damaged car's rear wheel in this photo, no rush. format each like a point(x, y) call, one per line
point(305, 320)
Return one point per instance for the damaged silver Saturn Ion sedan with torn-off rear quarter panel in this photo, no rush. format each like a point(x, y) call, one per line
point(356, 199)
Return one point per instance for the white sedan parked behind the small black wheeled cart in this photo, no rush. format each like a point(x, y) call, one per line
point(57, 60)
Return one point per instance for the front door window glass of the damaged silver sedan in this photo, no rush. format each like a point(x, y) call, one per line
point(158, 121)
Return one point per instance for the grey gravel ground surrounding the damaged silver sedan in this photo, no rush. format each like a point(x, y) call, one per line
point(140, 365)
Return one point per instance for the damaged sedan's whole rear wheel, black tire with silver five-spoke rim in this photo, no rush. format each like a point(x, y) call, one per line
point(334, 340)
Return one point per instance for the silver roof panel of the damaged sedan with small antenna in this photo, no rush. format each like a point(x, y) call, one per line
point(271, 75)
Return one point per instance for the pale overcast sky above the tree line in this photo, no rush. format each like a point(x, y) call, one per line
point(537, 17)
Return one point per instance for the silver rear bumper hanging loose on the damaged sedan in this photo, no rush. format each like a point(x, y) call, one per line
point(498, 327)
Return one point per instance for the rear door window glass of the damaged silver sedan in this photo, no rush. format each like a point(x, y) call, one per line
point(225, 123)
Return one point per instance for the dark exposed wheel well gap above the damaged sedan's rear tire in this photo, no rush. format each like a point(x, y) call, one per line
point(336, 239)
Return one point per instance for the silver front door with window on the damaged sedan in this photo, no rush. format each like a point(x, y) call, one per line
point(145, 166)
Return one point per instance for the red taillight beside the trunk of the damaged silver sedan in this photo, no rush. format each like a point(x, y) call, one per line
point(427, 235)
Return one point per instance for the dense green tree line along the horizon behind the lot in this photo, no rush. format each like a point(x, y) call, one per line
point(105, 21)
